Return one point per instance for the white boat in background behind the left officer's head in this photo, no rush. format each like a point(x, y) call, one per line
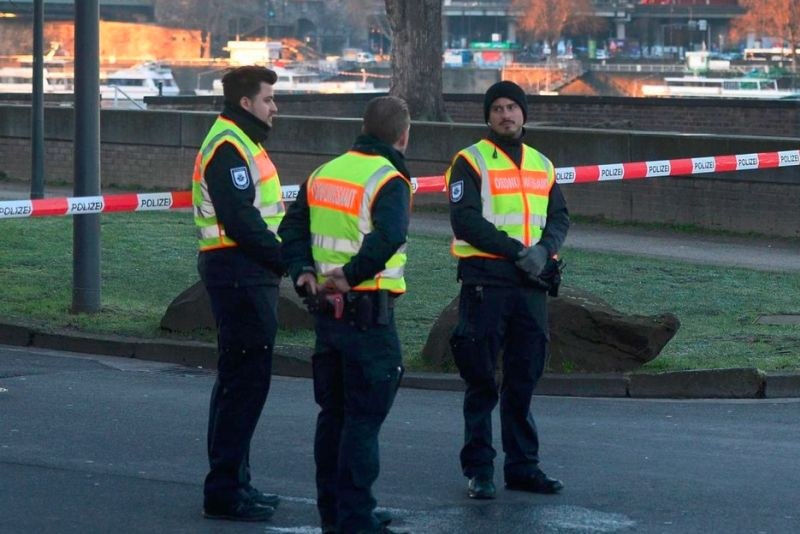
point(302, 81)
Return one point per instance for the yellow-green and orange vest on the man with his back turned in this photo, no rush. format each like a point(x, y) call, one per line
point(340, 195)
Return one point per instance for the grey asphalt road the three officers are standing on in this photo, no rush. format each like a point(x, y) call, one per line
point(99, 444)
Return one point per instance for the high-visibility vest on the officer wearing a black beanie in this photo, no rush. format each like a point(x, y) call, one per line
point(514, 199)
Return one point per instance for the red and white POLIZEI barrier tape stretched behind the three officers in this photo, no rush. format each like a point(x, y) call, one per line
point(423, 184)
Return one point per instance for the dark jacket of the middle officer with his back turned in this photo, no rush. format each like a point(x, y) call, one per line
point(390, 213)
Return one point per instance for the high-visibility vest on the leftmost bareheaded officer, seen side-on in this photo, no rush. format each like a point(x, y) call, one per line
point(261, 169)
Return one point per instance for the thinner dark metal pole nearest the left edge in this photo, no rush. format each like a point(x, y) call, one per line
point(37, 103)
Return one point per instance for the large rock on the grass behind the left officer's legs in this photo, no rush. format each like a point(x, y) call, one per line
point(191, 310)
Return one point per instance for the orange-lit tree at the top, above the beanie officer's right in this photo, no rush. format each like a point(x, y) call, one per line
point(548, 20)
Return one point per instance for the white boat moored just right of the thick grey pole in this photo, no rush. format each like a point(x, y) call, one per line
point(139, 81)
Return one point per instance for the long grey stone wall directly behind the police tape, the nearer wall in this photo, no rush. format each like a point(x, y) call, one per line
point(156, 150)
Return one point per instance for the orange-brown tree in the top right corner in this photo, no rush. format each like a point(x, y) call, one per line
point(771, 18)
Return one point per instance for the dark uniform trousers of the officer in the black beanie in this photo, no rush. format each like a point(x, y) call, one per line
point(491, 319)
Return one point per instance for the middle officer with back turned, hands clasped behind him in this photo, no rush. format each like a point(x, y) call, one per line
point(344, 243)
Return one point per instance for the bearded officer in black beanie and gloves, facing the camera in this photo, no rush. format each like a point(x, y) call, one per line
point(508, 217)
